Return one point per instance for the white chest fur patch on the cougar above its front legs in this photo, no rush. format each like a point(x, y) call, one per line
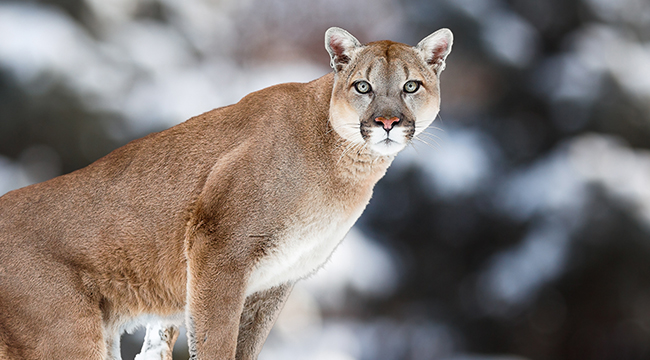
point(305, 247)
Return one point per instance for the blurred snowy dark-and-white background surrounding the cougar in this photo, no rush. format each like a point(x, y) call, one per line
point(517, 228)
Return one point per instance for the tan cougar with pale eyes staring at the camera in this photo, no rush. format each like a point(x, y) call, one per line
point(209, 224)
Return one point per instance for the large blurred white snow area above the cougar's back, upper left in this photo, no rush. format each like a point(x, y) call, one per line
point(140, 69)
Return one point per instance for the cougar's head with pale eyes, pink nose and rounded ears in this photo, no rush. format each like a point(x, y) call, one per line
point(385, 93)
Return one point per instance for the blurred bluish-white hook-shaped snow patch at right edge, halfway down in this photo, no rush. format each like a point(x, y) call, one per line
point(554, 195)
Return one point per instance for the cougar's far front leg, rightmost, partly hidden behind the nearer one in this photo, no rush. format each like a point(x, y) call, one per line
point(259, 314)
